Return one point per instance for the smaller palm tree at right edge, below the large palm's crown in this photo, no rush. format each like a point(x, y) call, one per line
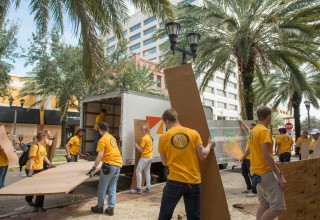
point(285, 87)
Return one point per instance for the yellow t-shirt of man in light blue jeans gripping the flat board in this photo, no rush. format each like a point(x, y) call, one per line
point(111, 154)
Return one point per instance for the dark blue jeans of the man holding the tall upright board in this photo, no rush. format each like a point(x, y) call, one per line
point(172, 193)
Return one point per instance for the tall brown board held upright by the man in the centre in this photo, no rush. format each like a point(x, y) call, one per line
point(185, 99)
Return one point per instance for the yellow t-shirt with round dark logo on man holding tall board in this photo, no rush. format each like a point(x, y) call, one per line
point(179, 145)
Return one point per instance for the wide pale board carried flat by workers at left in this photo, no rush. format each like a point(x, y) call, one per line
point(60, 180)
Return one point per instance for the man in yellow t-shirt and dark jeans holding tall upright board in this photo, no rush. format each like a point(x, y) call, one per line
point(181, 149)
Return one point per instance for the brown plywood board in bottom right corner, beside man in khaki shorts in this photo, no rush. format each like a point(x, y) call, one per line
point(302, 192)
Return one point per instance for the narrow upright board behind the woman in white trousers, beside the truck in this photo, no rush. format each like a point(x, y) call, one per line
point(138, 137)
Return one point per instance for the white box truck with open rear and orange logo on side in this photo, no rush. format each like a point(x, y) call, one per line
point(122, 108)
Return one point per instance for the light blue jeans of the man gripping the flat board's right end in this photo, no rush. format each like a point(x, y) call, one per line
point(108, 184)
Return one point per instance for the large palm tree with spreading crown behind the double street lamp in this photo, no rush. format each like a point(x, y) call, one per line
point(250, 36)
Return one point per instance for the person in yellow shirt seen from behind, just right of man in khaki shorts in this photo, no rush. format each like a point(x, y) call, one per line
point(284, 145)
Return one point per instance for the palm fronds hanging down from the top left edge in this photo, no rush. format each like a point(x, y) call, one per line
point(89, 18)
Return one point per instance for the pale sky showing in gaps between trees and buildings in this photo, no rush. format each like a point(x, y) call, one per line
point(23, 18)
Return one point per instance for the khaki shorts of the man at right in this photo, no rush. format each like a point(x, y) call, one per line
point(269, 192)
